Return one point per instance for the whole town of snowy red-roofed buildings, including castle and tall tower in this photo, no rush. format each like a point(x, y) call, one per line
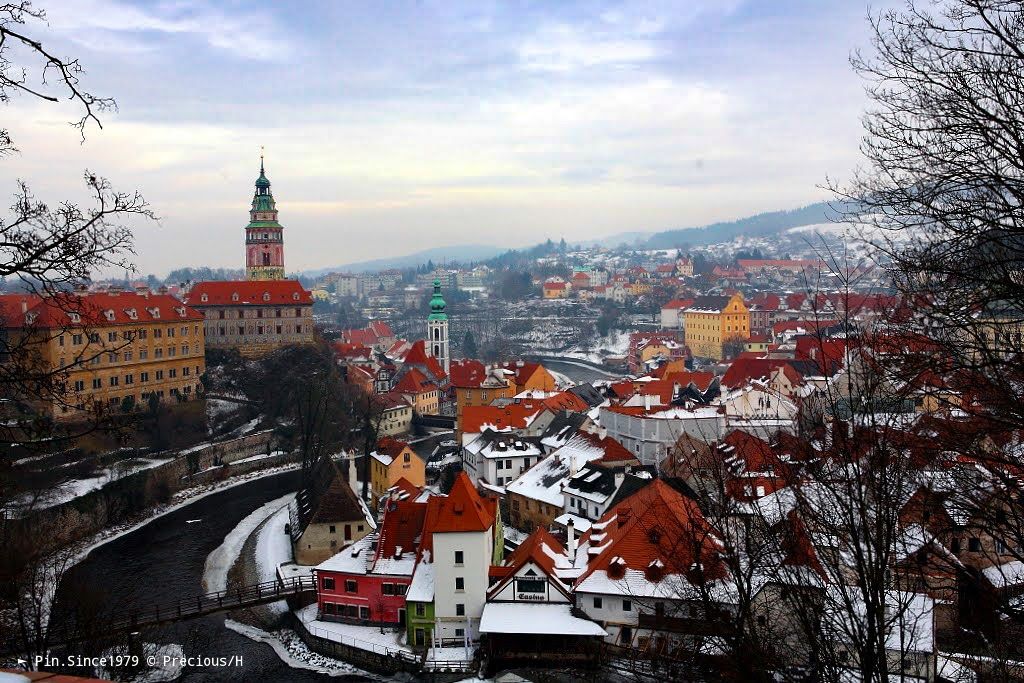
point(560, 523)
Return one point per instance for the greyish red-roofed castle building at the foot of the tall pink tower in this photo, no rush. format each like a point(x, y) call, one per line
point(254, 317)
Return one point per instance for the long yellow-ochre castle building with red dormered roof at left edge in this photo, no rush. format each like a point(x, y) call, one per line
point(121, 350)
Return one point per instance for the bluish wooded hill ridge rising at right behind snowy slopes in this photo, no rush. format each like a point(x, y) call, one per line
point(761, 225)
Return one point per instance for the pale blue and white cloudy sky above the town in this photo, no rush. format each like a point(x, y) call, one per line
point(395, 127)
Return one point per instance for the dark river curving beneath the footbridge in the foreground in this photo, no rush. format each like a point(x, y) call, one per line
point(163, 563)
